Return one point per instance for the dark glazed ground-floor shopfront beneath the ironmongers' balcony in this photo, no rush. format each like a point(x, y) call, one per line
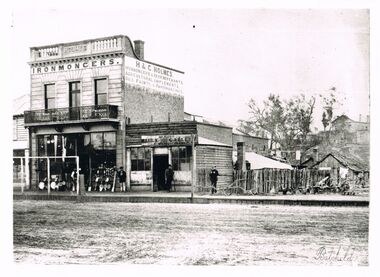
point(97, 149)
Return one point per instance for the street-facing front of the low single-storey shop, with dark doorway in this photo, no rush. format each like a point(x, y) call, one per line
point(149, 161)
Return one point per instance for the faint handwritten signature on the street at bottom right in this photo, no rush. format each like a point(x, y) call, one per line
point(335, 254)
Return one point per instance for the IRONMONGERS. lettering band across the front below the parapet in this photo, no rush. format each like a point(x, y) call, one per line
point(76, 65)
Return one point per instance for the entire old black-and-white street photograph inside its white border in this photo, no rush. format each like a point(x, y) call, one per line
point(191, 137)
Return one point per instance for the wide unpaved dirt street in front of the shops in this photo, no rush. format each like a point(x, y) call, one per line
point(60, 232)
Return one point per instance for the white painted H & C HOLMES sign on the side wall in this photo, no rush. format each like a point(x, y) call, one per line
point(153, 77)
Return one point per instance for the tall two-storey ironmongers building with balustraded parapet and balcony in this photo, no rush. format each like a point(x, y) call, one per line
point(84, 93)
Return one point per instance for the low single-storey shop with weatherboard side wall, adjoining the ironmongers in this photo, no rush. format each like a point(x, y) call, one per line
point(190, 147)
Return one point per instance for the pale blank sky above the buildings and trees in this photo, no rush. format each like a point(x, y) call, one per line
point(228, 56)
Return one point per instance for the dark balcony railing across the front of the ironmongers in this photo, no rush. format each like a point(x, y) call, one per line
point(84, 113)
